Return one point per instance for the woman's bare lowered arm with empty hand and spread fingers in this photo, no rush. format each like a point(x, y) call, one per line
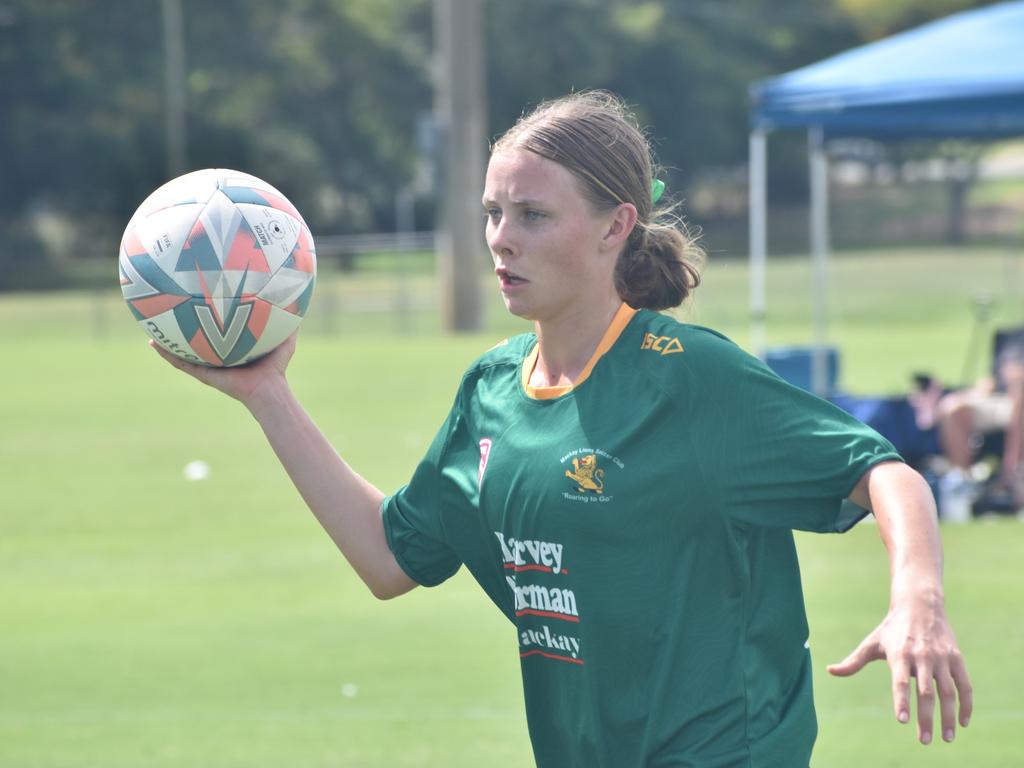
point(915, 637)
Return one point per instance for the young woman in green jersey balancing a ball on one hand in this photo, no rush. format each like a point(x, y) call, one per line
point(624, 487)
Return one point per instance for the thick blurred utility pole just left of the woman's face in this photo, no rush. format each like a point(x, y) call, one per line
point(460, 110)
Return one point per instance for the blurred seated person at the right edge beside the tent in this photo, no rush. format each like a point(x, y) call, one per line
point(994, 405)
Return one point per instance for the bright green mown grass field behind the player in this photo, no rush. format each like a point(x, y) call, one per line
point(149, 621)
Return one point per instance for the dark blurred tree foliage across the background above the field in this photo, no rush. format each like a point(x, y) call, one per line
point(323, 98)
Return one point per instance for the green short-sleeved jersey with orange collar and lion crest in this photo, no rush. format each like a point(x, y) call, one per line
point(637, 531)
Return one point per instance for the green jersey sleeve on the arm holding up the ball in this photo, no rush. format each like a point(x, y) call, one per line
point(414, 516)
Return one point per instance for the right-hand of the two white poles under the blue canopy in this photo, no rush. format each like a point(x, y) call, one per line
point(819, 164)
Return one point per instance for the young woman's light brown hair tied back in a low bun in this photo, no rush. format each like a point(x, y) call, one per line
point(595, 137)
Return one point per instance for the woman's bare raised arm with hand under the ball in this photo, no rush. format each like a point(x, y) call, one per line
point(347, 505)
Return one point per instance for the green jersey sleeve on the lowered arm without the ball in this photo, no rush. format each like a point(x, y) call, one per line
point(781, 456)
